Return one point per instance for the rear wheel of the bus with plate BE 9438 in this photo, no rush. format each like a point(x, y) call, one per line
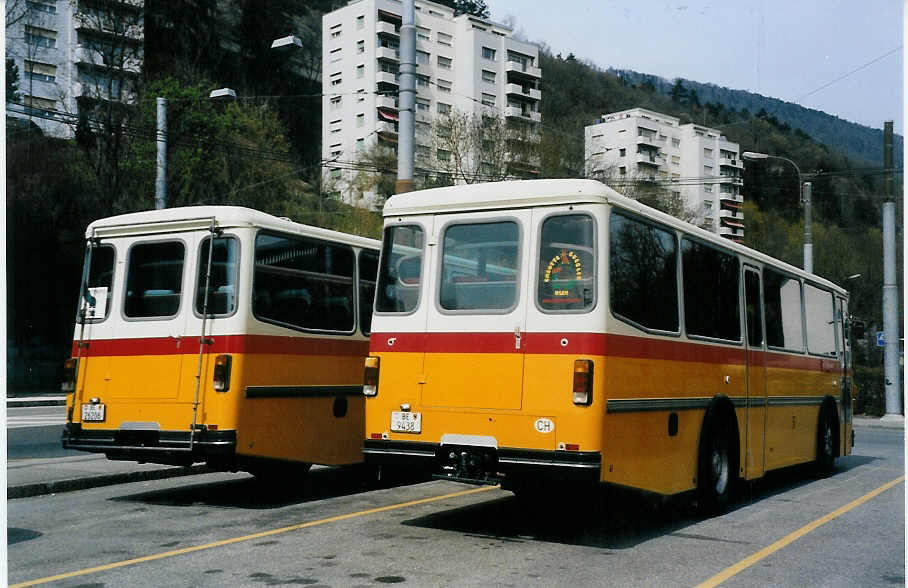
point(717, 470)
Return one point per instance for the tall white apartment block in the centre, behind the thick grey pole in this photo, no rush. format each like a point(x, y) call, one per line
point(463, 64)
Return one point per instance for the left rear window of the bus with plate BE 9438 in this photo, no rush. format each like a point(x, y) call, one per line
point(400, 273)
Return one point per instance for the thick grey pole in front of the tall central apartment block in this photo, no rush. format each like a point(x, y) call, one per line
point(407, 104)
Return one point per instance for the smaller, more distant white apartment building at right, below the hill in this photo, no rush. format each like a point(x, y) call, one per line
point(694, 162)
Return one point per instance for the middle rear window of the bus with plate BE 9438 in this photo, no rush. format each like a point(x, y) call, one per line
point(479, 268)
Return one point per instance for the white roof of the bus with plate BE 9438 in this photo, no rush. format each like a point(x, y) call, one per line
point(530, 193)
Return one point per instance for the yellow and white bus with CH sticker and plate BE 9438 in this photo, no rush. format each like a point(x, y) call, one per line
point(553, 330)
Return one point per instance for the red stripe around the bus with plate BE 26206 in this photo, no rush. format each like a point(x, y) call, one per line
point(269, 344)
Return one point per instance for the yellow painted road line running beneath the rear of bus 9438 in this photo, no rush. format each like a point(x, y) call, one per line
point(175, 552)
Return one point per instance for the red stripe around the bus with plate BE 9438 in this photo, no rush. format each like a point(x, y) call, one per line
point(598, 344)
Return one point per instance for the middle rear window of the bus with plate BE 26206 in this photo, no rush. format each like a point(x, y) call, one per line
point(154, 279)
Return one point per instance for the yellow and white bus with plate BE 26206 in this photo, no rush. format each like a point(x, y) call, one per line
point(246, 354)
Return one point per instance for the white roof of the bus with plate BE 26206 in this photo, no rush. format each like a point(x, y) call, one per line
point(191, 218)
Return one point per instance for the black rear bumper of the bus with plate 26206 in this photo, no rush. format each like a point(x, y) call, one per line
point(165, 447)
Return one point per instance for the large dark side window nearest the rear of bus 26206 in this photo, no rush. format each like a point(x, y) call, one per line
point(303, 283)
